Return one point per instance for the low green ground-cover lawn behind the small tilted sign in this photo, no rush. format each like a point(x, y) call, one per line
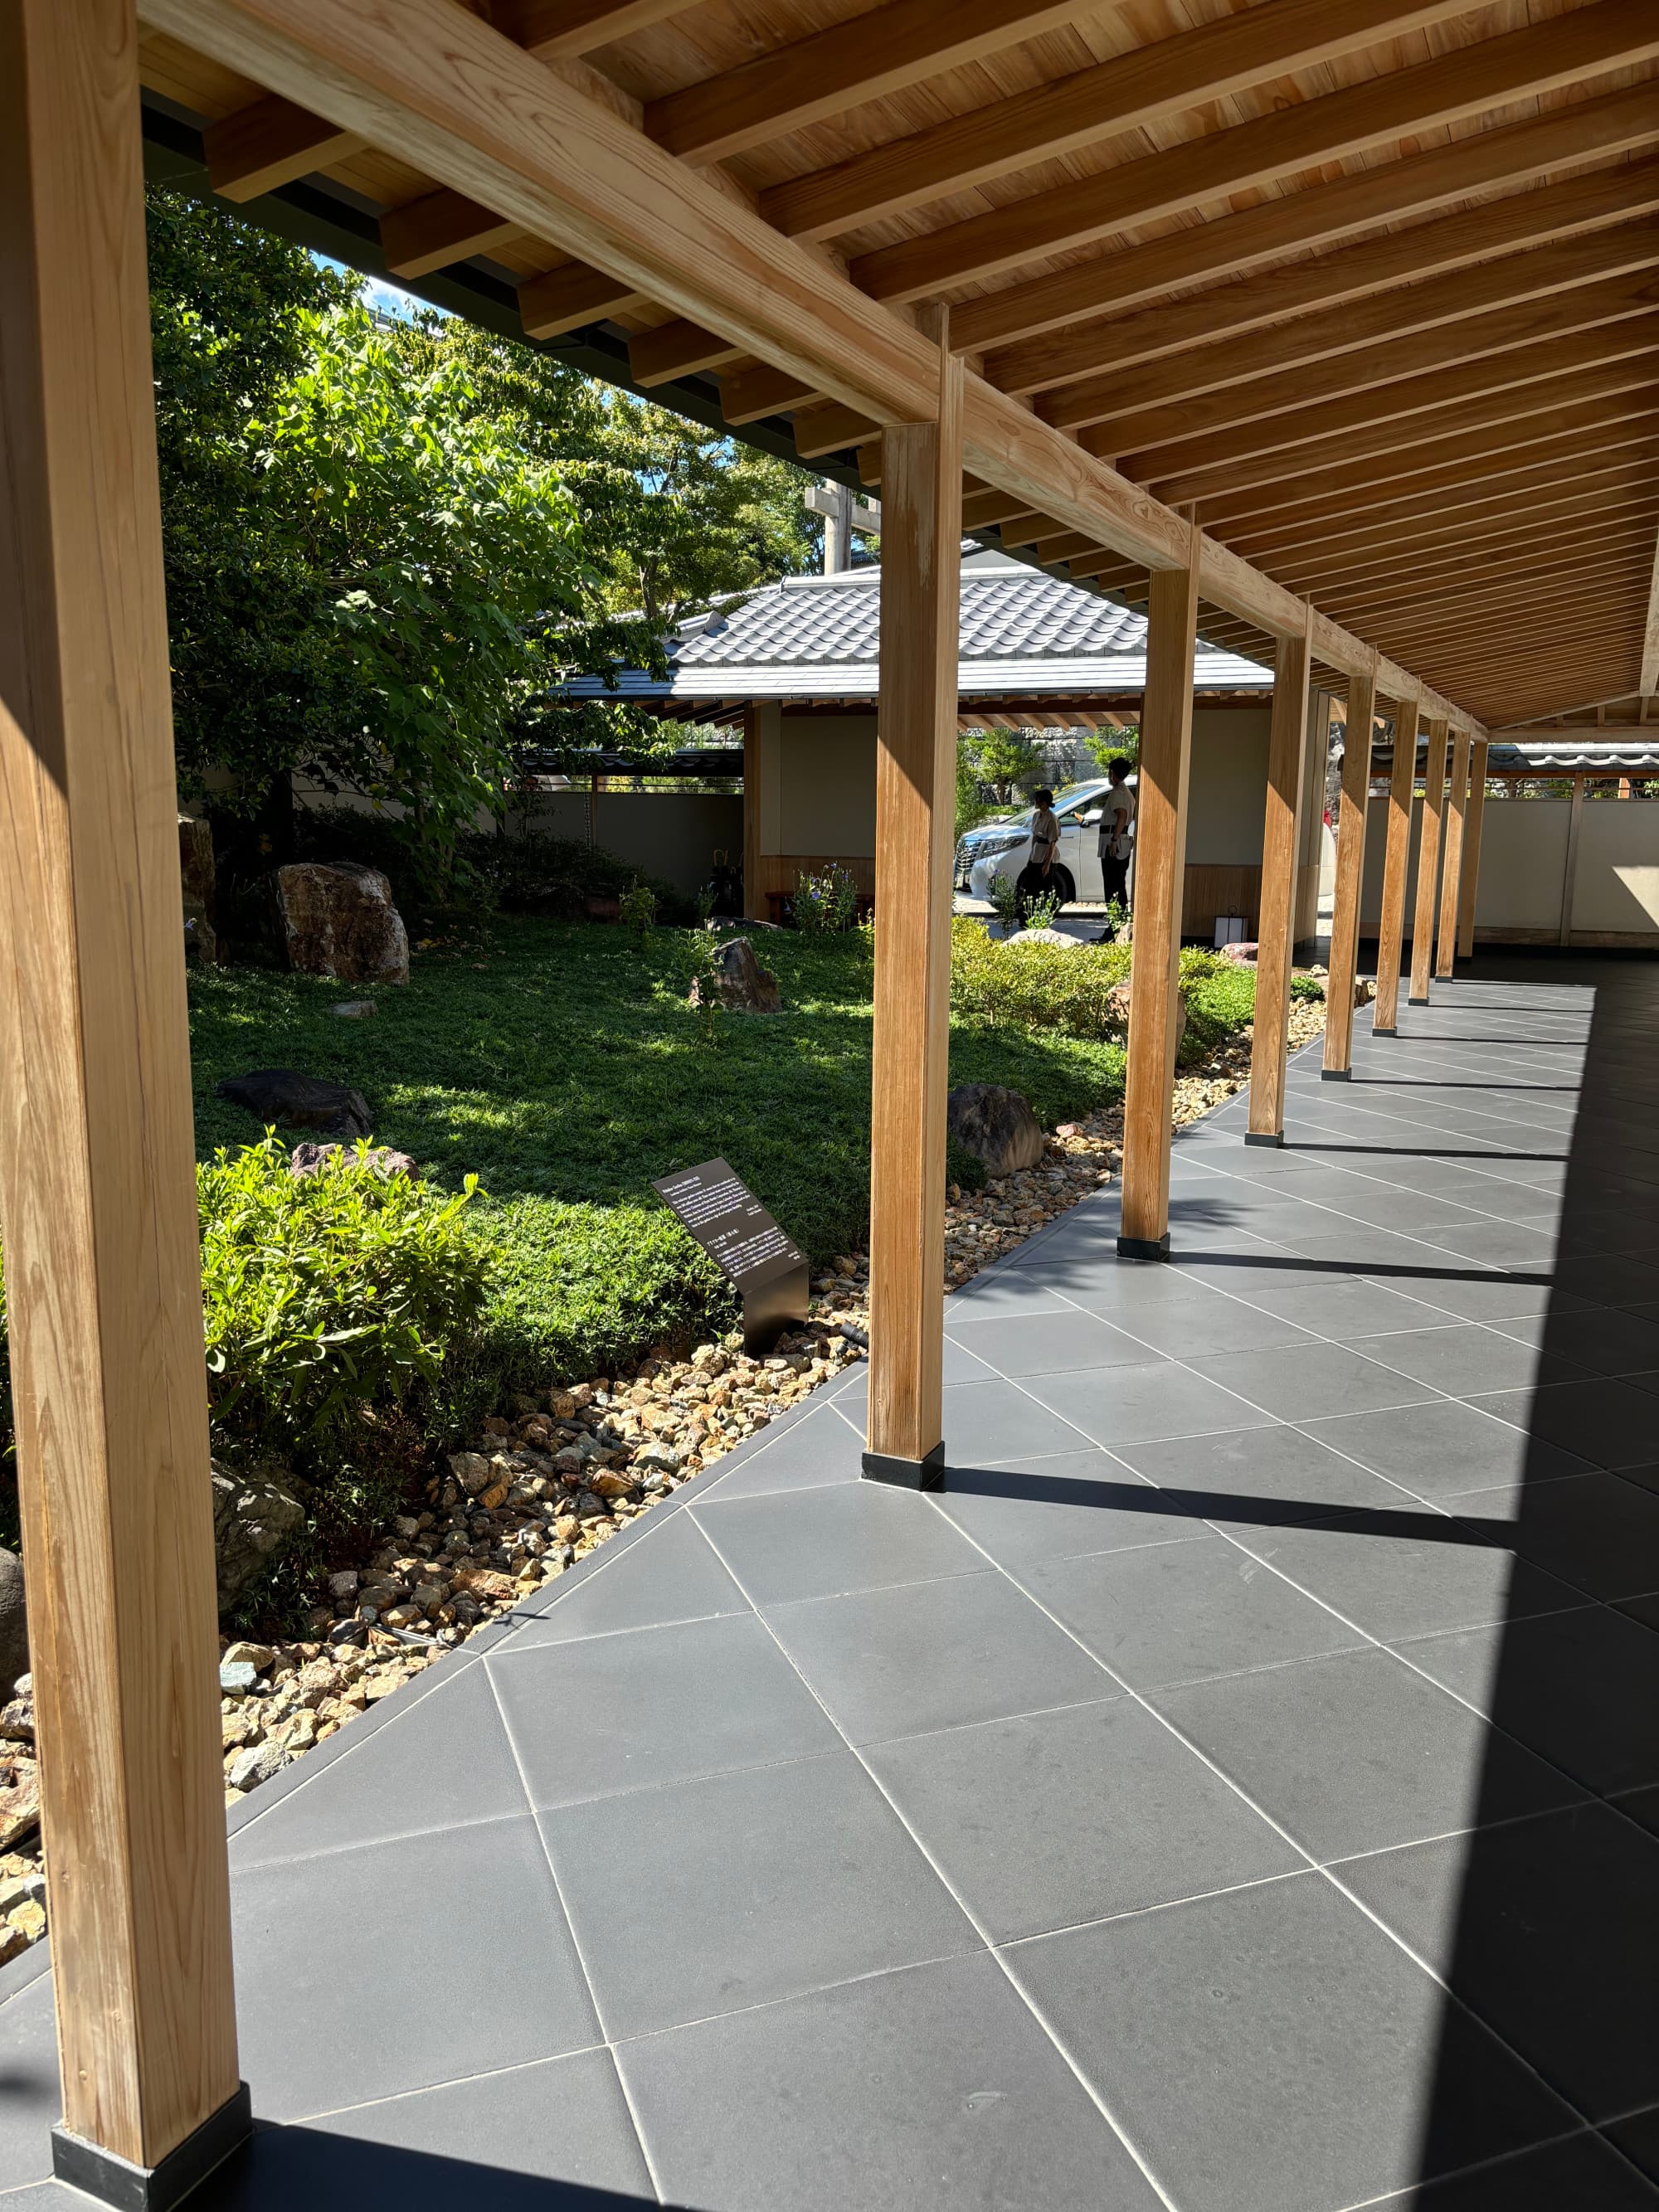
point(565, 1072)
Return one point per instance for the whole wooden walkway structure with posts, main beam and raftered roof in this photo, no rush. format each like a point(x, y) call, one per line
point(1322, 324)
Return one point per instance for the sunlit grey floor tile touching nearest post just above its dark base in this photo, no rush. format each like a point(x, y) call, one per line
point(508, 1972)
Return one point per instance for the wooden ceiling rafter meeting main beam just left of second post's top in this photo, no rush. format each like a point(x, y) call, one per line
point(1470, 81)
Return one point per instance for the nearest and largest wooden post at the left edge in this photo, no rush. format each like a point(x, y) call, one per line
point(96, 1142)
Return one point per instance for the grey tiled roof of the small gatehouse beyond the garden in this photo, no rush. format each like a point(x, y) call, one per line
point(815, 636)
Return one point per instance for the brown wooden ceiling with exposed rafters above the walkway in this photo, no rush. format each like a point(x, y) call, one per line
point(1373, 286)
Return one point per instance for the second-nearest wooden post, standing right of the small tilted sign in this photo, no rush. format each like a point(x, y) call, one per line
point(921, 497)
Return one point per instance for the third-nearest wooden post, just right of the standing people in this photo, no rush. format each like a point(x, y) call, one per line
point(1160, 890)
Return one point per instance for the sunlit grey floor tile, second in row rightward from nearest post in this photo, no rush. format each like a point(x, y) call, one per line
point(744, 1890)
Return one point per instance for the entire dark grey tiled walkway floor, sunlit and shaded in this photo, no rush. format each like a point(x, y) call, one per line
point(1235, 1793)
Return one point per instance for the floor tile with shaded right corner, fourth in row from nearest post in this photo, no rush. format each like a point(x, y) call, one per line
point(1357, 1753)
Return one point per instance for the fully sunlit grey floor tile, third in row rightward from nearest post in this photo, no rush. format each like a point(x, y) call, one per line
point(1065, 1817)
